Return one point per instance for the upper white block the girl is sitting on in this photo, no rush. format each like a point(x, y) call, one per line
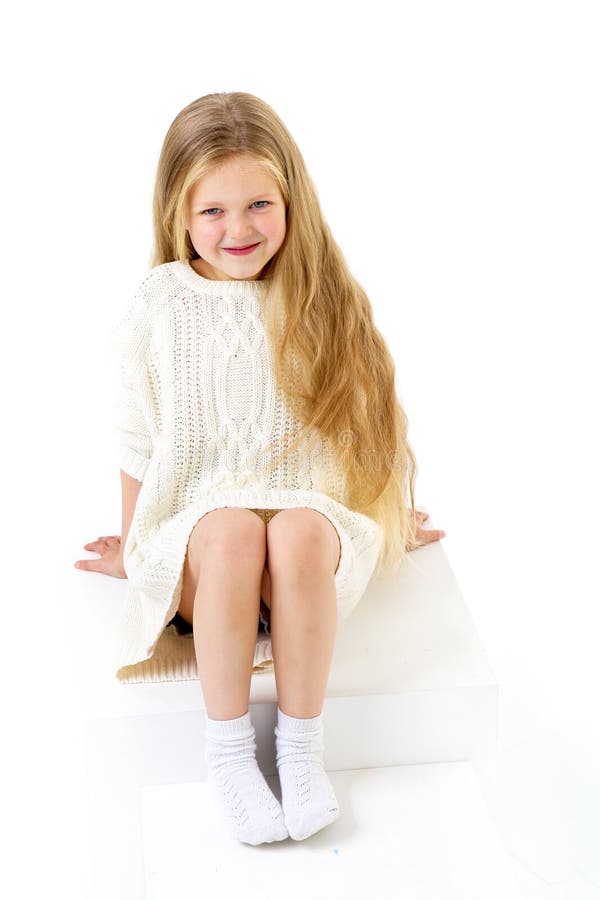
point(410, 681)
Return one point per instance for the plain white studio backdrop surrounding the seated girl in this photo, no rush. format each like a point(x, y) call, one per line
point(455, 147)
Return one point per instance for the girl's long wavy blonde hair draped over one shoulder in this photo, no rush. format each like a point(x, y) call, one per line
point(329, 358)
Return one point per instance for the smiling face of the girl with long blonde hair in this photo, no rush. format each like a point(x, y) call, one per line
point(235, 205)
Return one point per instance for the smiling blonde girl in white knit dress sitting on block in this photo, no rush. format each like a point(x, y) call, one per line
point(265, 467)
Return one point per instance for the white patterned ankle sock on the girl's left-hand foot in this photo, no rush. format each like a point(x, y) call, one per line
point(254, 813)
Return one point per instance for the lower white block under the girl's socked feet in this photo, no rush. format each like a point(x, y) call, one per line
point(420, 832)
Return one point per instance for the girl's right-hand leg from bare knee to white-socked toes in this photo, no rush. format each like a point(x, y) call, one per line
point(303, 555)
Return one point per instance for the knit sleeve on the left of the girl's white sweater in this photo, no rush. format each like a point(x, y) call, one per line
point(134, 395)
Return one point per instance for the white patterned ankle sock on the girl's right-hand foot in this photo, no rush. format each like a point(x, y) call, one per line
point(307, 796)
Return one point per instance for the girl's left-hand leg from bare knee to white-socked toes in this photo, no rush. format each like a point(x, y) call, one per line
point(225, 556)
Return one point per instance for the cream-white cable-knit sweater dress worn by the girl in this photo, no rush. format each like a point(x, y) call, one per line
point(197, 407)
